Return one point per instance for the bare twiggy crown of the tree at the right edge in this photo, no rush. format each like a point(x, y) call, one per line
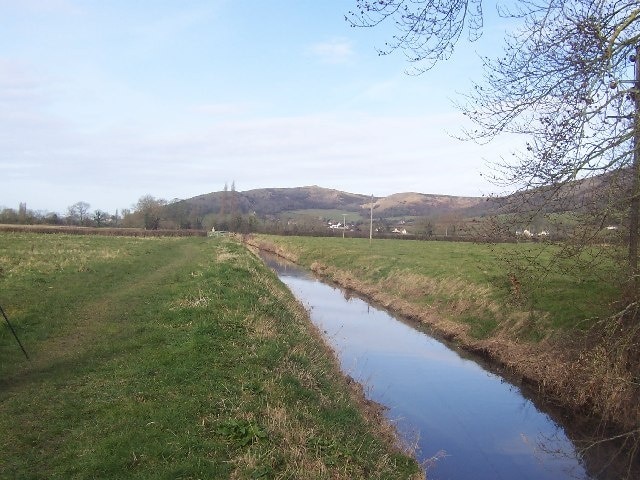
point(566, 81)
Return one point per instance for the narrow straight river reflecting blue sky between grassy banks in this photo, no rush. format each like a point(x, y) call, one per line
point(467, 422)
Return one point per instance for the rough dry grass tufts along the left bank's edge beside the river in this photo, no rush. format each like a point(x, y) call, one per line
point(316, 453)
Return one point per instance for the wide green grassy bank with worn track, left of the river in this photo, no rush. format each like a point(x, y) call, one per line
point(170, 358)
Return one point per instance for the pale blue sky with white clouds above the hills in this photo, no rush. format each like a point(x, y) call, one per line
point(105, 101)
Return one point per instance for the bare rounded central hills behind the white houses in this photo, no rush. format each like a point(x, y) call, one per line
point(276, 201)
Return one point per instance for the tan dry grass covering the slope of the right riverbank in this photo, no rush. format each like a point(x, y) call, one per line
point(595, 377)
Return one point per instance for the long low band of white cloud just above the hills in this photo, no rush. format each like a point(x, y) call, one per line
point(356, 153)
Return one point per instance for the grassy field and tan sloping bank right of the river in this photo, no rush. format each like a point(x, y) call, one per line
point(539, 327)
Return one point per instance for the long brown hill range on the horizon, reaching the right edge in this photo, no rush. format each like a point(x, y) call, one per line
point(584, 195)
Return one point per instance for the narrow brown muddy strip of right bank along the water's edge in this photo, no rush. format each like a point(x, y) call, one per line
point(583, 374)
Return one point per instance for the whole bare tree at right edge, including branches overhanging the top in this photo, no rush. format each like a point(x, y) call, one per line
point(568, 82)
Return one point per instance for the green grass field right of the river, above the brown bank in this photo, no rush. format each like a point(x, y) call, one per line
point(525, 286)
